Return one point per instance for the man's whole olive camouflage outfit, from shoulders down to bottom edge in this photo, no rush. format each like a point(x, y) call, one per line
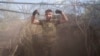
point(49, 34)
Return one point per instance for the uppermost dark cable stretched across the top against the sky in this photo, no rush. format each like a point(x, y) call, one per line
point(43, 3)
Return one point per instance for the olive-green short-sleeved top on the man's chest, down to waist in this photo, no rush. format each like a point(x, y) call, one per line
point(49, 27)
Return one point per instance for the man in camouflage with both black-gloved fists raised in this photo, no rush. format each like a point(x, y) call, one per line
point(49, 28)
